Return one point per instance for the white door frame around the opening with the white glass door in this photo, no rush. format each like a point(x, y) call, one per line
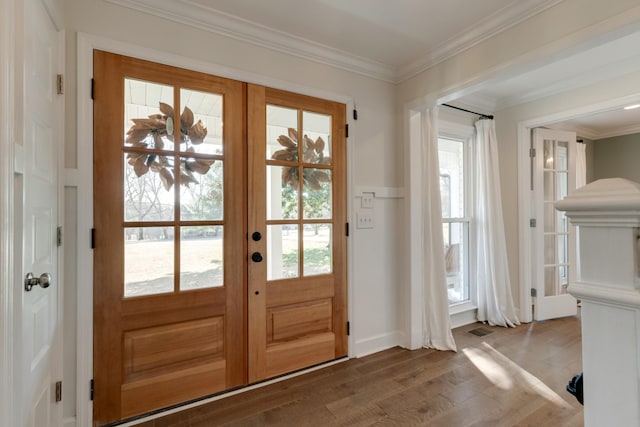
point(524, 192)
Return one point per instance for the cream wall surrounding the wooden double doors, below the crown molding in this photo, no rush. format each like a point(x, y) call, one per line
point(373, 147)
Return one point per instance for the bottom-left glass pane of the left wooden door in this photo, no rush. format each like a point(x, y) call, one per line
point(148, 261)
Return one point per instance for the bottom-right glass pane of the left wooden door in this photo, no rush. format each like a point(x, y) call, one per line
point(201, 257)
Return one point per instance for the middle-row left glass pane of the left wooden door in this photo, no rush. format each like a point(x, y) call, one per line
point(147, 197)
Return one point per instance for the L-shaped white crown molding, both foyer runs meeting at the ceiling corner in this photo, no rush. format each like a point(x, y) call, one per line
point(209, 19)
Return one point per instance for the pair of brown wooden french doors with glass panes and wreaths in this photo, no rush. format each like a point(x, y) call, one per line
point(220, 253)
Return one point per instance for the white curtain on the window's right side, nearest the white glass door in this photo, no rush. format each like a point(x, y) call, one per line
point(495, 303)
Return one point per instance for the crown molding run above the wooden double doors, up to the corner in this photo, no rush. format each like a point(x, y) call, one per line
point(208, 19)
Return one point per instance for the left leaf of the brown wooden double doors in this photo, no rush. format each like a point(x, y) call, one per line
point(160, 348)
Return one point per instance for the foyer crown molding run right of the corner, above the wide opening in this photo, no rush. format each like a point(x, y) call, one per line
point(502, 20)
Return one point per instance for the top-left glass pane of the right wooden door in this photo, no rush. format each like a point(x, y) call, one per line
point(282, 133)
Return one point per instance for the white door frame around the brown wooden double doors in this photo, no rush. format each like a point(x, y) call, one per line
point(82, 179)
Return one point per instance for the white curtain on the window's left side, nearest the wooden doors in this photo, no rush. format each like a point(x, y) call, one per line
point(435, 315)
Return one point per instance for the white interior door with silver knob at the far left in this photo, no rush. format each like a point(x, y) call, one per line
point(39, 327)
